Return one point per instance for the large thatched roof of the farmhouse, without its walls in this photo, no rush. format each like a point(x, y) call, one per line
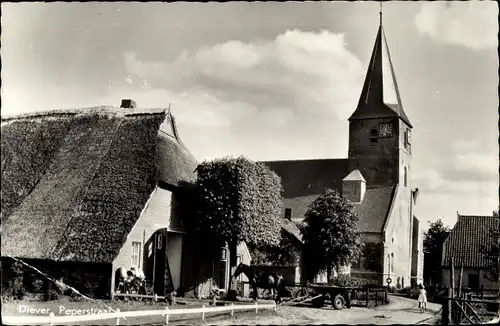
point(74, 183)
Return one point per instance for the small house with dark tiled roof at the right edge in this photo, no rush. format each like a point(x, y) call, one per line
point(466, 244)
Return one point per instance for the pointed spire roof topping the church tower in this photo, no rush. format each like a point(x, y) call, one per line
point(380, 96)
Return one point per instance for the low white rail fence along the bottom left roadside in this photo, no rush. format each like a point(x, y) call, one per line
point(58, 320)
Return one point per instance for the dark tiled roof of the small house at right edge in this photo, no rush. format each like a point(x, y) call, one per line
point(467, 239)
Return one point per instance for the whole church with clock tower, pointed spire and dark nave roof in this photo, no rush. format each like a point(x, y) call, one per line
point(375, 177)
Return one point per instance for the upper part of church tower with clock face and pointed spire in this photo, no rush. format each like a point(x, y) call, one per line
point(379, 130)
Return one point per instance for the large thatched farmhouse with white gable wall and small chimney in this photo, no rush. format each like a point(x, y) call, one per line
point(88, 191)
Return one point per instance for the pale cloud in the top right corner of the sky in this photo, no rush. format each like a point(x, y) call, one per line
point(472, 24)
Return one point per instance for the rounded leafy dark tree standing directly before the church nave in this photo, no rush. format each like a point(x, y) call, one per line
point(331, 237)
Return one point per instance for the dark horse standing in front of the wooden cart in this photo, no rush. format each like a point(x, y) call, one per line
point(273, 282)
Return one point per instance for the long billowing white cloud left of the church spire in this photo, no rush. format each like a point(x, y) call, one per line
point(299, 71)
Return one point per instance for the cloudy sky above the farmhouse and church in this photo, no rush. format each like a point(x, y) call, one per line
point(275, 81)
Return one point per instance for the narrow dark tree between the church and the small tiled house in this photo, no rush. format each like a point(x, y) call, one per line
point(433, 249)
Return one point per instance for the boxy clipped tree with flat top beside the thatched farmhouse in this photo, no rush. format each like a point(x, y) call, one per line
point(236, 200)
